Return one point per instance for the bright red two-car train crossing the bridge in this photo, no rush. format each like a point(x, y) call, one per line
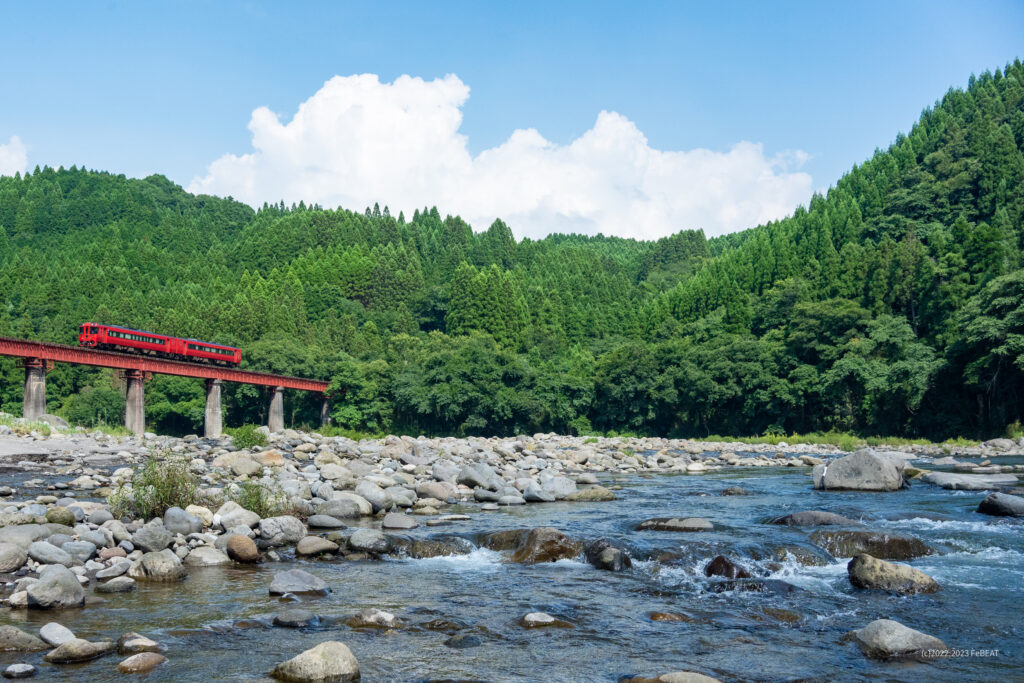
point(149, 344)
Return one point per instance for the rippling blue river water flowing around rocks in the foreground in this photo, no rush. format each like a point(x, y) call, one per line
point(217, 624)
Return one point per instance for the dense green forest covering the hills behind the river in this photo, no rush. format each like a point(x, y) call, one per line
point(892, 305)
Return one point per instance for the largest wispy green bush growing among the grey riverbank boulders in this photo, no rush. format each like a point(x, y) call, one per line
point(161, 484)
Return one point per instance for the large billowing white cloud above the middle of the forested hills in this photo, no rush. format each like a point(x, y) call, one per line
point(357, 142)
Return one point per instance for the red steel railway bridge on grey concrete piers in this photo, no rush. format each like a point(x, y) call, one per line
point(37, 358)
